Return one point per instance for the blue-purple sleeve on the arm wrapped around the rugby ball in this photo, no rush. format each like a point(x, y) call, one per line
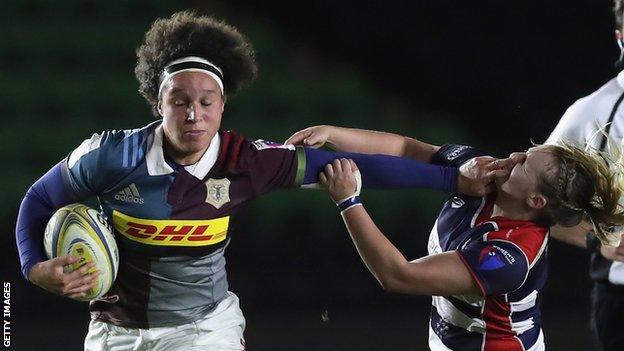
point(44, 197)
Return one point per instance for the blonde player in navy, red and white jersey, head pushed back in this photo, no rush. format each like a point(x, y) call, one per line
point(487, 255)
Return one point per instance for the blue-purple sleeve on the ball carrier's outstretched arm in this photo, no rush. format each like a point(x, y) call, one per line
point(384, 171)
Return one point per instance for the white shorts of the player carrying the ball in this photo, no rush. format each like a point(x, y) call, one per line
point(220, 330)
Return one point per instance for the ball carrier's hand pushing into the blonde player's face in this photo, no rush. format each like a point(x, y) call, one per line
point(477, 177)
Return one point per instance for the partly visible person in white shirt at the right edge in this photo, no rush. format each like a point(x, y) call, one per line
point(592, 121)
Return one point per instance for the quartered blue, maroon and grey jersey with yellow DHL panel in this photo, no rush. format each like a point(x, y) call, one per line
point(172, 223)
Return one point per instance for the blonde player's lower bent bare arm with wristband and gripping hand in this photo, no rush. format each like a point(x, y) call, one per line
point(442, 274)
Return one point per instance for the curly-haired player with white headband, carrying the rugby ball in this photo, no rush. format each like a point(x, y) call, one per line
point(171, 190)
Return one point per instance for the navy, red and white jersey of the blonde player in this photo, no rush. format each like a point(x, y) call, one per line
point(507, 260)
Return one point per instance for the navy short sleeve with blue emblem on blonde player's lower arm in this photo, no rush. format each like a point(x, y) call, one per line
point(498, 267)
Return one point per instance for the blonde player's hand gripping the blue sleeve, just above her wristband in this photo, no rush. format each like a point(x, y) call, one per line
point(339, 179)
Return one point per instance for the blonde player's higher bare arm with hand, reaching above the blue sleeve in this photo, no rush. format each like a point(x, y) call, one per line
point(363, 141)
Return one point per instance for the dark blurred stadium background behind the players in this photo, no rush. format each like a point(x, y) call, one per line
point(493, 74)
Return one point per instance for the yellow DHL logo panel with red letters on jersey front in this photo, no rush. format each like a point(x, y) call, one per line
point(171, 232)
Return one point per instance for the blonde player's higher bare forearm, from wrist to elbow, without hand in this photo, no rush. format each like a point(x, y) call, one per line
point(374, 142)
